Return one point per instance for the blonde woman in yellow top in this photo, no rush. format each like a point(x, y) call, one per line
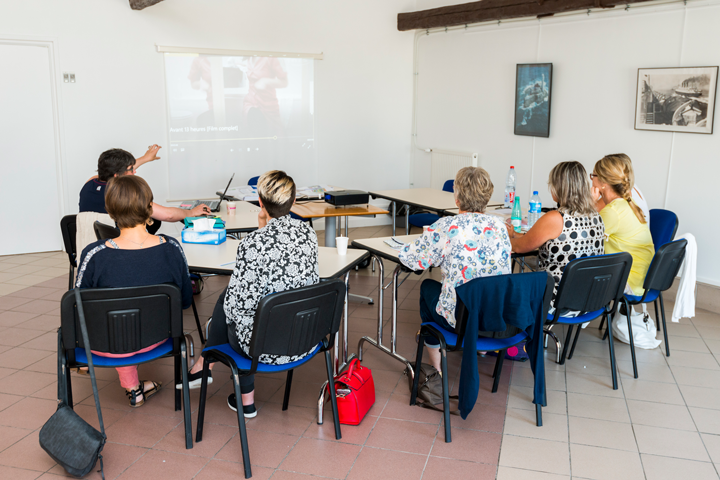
point(625, 227)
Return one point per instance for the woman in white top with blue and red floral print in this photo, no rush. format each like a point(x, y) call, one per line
point(465, 246)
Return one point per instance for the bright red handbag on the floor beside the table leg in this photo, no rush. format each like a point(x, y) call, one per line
point(355, 392)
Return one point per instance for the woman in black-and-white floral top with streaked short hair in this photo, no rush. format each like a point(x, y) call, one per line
point(282, 254)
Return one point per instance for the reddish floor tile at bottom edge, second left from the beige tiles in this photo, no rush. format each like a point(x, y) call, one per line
point(387, 464)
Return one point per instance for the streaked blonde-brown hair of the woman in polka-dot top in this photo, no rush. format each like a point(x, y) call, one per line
point(570, 184)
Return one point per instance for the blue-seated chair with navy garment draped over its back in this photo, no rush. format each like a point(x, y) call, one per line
point(453, 341)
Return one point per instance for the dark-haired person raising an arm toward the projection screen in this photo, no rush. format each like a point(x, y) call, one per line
point(117, 162)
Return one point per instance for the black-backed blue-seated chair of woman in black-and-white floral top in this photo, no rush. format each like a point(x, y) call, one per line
point(286, 323)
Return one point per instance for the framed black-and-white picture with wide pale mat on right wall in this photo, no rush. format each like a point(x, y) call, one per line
point(676, 99)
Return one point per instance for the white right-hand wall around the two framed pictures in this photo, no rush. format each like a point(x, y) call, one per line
point(465, 102)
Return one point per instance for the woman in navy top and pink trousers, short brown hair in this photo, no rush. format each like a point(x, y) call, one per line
point(135, 258)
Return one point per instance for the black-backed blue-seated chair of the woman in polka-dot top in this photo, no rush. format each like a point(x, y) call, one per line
point(593, 286)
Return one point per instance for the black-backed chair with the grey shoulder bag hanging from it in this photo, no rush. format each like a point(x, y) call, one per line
point(125, 320)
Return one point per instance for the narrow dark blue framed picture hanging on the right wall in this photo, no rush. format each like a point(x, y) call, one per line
point(533, 87)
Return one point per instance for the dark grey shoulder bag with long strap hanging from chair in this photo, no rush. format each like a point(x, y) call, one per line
point(67, 438)
